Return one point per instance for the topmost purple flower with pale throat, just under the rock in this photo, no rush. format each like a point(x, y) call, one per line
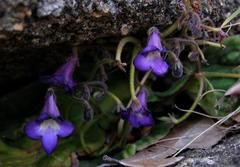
point(150, 57)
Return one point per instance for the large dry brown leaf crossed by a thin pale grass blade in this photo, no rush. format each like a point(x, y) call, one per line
point(179, 137)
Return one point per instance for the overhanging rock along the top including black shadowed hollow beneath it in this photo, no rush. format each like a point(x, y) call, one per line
point(35, 35)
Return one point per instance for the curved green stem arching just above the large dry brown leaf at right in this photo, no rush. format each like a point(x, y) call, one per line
point(194, 105)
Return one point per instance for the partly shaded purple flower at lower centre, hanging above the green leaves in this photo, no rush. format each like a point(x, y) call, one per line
point(137, 114)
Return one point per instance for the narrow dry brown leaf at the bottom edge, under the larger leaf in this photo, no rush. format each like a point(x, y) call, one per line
point(151, 162)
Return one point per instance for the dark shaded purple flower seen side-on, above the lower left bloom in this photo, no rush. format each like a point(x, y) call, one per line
point(63, 76)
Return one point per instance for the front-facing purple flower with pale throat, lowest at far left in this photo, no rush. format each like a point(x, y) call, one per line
point(49, 125)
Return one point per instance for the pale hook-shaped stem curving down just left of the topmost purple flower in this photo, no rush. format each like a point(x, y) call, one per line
point(120, 46)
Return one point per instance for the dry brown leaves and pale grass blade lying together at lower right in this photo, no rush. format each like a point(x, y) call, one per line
point(193, 134)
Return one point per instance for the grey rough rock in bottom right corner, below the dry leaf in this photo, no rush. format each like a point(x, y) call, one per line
point(224, 154)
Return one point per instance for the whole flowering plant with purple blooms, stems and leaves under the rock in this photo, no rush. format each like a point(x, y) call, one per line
point(119, 116)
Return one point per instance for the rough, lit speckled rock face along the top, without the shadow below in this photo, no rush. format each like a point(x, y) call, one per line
point(40, 23)
